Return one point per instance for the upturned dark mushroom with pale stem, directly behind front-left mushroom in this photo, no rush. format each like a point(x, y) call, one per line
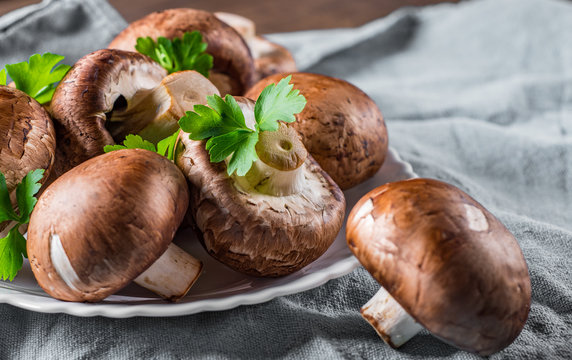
point(109, 94)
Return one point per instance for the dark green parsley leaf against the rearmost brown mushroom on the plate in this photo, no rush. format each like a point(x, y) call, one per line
point(186, 53)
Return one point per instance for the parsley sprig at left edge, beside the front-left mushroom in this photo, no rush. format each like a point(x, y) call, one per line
point(13, 246)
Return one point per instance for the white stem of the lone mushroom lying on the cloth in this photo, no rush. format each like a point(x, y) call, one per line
point(392, 323)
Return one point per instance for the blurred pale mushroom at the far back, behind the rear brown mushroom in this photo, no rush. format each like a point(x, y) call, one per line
point(269, 58)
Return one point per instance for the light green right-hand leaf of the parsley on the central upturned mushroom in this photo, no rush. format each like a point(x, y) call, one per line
point(278, 102)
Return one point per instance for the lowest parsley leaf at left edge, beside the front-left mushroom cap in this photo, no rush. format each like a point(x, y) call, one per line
point(12, 251)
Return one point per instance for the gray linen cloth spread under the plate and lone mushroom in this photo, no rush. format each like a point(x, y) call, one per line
point(477, 94)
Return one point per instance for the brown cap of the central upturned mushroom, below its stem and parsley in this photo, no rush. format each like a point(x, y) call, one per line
point(260, 235)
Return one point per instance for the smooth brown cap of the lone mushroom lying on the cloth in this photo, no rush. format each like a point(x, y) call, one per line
point(449, 262)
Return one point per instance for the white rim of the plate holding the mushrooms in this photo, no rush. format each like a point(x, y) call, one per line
point(335, 270)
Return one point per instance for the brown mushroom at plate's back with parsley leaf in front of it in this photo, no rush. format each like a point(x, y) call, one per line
point(233, 68)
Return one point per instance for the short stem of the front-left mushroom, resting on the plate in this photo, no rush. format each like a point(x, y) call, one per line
point(171, 275)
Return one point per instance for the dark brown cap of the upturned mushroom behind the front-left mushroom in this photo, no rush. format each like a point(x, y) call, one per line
point(88, 92)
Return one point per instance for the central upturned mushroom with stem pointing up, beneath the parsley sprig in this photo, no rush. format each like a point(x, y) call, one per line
point(282, 215)
